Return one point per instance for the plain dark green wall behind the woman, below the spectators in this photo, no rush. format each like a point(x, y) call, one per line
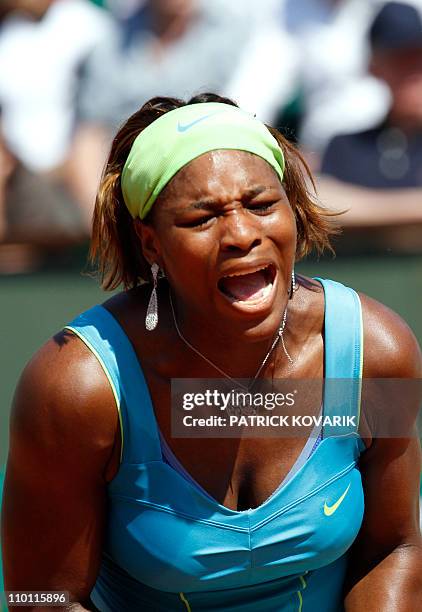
point(35, 306)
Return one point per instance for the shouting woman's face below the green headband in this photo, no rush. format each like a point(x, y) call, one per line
point(225, 235)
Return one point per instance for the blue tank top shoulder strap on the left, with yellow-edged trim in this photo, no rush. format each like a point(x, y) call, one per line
point(104, 336)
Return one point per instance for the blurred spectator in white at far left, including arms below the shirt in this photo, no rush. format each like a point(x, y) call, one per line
point(42, 46)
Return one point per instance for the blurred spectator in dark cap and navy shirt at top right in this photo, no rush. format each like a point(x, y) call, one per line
point(379, 217)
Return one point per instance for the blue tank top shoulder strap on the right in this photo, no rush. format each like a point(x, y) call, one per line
point(343, 361)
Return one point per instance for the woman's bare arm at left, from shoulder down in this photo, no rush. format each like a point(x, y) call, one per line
point(62, 432)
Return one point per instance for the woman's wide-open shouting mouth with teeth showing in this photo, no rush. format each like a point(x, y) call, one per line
point(250, 287)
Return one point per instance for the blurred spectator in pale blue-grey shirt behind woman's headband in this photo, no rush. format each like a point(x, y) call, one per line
point(166, 47)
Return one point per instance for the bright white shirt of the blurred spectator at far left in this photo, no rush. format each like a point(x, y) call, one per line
point(42, 46)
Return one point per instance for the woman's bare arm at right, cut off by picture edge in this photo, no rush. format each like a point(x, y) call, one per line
point(385, 572)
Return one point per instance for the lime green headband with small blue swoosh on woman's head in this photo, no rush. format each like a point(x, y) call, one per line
point(181, 135)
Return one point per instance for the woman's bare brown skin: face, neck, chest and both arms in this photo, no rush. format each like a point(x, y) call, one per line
point(224, 211)
